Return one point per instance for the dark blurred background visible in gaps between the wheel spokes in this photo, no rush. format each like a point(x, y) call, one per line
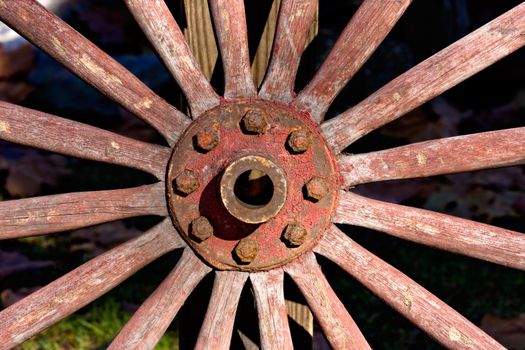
point(490, 296)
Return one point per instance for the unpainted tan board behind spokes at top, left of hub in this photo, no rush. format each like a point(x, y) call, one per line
point(200, 35)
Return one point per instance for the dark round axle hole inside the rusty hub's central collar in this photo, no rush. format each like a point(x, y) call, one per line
point(254, 188)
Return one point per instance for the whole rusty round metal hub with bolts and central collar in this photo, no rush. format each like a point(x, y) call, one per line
point(252, 185)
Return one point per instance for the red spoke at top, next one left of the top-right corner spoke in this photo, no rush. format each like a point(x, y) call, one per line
point(366, 30)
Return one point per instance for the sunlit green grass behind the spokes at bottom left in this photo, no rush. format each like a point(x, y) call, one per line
point(93, 329)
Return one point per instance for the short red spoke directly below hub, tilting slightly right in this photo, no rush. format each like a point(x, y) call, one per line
point(268, 291)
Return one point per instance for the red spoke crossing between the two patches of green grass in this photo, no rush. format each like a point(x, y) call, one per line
point(149, 323)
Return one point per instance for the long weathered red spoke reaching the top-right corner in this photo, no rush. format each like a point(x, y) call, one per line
point(430, 78)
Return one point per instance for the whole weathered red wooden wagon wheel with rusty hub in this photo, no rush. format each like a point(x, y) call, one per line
point(252, 186)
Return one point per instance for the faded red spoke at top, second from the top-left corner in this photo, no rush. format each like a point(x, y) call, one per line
point(163, 32)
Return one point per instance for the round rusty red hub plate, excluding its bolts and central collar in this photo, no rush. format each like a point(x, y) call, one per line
point(235, 144)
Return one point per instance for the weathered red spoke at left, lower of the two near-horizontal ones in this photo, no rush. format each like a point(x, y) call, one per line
point(49, 214)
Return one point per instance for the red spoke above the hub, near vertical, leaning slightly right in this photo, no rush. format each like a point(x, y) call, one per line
point(295, 21)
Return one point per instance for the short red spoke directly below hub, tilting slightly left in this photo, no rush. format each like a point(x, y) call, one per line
point(217, 328)
